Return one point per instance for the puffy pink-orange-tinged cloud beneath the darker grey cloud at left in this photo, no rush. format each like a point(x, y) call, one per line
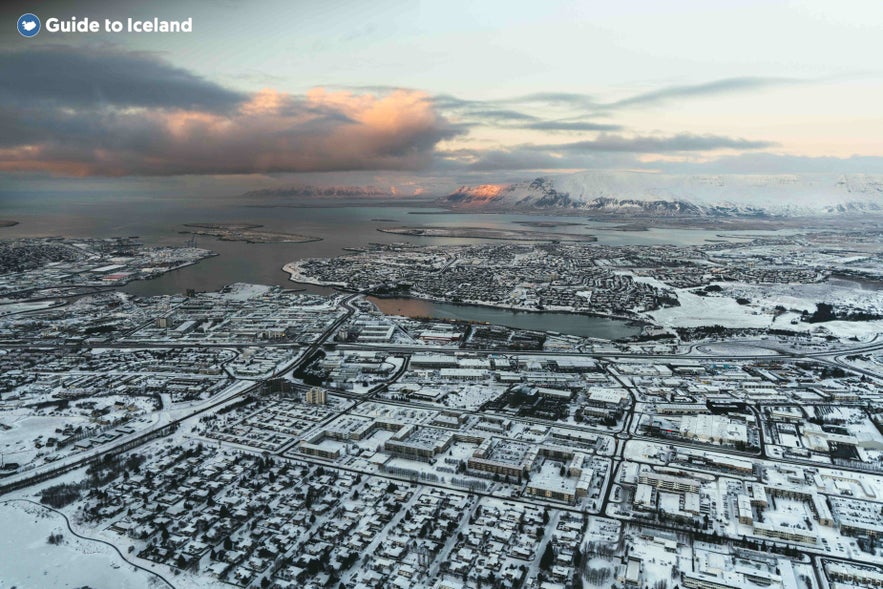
point(269, 132)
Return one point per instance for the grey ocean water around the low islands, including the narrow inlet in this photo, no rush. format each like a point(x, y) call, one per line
point(159, 221)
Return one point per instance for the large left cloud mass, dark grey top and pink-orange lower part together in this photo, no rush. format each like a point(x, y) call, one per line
point(184, 125)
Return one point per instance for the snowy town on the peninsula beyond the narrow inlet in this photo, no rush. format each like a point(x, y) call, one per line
point(752, 283)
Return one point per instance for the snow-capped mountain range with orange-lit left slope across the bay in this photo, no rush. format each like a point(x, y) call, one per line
point(643, 193)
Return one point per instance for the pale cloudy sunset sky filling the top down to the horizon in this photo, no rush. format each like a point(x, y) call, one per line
point(425, 96)
